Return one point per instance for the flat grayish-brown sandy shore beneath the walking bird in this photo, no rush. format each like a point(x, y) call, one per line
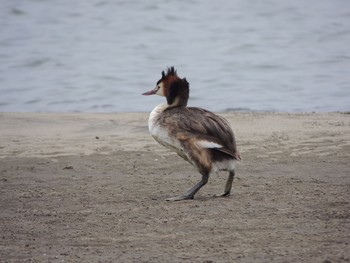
point(92, 187)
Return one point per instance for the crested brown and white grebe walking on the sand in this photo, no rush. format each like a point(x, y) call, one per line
point(199, 136)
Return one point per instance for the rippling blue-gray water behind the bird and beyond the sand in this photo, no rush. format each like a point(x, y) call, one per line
point(99, 55)
